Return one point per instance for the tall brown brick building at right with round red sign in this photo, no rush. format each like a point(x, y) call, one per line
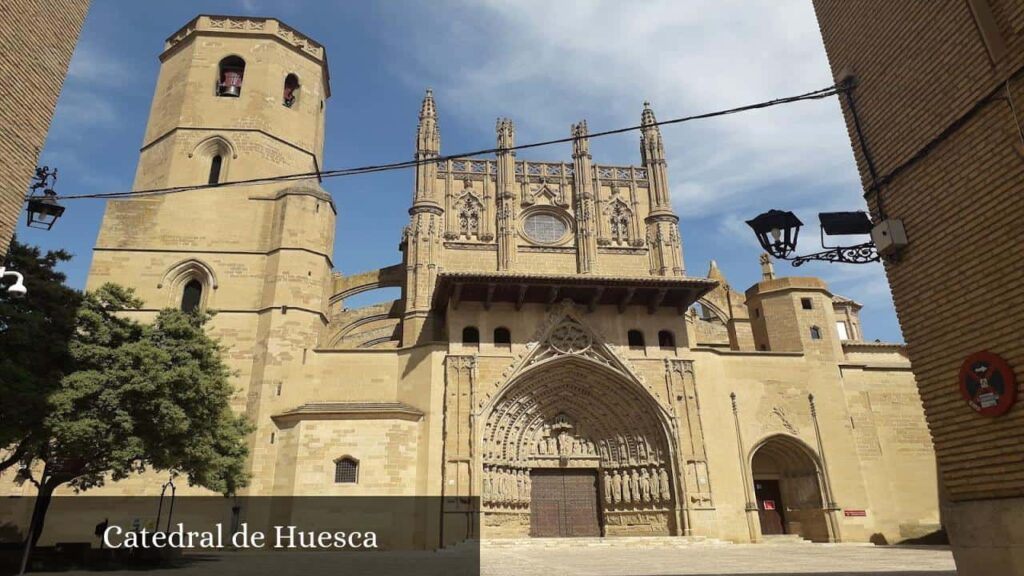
point(940, 97)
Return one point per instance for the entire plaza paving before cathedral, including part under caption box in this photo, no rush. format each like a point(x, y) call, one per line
point(532, 559)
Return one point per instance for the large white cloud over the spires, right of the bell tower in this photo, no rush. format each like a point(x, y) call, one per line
point(548, 64)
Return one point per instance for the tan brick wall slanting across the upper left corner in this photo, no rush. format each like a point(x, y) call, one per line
point(37, 38)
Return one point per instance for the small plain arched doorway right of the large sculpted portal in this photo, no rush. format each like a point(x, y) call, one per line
point(788, 489)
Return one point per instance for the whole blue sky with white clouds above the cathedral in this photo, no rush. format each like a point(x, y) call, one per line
point(545, 65)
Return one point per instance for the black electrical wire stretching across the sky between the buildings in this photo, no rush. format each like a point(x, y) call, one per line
point(340, 173)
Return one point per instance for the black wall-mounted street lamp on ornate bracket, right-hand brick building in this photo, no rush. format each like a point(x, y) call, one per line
point(784, 228)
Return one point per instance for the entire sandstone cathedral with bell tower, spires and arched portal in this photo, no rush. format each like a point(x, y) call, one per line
point(552, 367)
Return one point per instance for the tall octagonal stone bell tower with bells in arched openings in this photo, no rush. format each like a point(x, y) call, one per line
point(238, 99)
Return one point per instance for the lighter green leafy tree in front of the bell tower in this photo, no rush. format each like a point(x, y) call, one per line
point(130, 397)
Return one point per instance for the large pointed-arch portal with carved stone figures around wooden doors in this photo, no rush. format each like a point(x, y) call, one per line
point(574, 448)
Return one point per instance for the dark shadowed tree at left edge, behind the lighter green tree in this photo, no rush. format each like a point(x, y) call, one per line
point(35, 332)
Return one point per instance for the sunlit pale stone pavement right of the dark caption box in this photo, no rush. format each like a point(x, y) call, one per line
point(709, 559)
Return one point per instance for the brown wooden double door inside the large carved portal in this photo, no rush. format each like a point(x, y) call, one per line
point(564, 504)
